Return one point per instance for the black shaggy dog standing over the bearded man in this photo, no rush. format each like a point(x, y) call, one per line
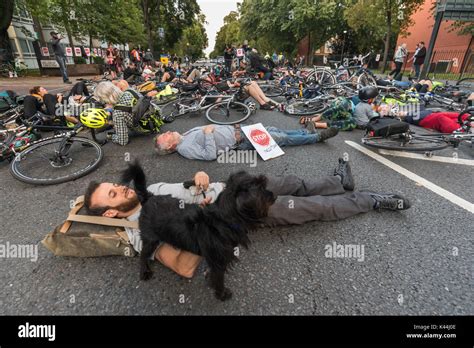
point(212, 231)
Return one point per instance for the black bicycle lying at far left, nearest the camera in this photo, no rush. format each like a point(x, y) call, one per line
point(56, 159)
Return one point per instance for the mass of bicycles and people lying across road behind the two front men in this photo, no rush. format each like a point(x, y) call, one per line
point(54, 138)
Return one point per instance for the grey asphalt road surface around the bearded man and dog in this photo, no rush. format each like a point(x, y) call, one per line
point(417, 262)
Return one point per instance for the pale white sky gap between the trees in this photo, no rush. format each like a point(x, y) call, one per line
point(215, 11)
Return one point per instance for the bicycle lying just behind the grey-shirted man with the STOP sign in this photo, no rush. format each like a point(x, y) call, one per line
point(220, 108)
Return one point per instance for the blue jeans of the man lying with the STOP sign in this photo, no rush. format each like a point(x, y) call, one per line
point(283, 138)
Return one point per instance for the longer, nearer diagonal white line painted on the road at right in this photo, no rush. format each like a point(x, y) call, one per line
point(416, 178)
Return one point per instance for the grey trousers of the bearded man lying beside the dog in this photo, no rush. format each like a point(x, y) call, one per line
point(300, 201)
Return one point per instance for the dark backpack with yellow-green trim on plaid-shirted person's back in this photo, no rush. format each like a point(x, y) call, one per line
point(146, 118)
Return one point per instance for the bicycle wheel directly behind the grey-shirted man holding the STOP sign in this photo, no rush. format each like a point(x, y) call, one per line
point(228, 113)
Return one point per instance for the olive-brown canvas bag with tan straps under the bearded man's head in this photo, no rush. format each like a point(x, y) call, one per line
point(90, 236)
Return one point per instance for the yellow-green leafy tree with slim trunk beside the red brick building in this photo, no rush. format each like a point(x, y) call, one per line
point(384, 19)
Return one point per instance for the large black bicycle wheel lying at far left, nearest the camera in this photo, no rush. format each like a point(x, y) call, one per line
point(56, 160)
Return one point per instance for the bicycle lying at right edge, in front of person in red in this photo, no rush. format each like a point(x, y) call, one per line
point(412, 142)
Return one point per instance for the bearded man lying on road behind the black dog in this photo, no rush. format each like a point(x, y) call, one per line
point(298, 201)
